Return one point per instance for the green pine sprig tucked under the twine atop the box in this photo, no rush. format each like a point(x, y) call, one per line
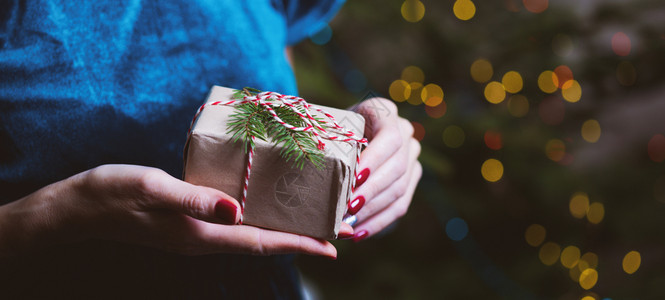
point(253, 120)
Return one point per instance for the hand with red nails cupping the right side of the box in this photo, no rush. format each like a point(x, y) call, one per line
point(389, 168)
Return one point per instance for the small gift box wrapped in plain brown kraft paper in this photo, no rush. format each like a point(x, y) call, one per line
point(304, 199)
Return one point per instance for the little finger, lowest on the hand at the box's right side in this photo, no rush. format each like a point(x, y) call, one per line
point(390, 214)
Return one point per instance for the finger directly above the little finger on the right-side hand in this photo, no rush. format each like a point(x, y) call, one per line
point(386, 187)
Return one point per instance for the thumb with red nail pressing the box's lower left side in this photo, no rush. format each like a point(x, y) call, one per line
point(199, 202)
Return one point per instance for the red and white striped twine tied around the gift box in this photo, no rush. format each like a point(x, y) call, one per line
point(321, 129)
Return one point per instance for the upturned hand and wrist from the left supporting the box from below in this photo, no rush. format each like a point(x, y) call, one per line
point(145, 206)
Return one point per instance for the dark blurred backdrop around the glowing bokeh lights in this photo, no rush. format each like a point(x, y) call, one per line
point(464, 236)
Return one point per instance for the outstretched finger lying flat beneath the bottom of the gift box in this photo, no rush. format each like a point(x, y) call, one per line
point(257, 241)
